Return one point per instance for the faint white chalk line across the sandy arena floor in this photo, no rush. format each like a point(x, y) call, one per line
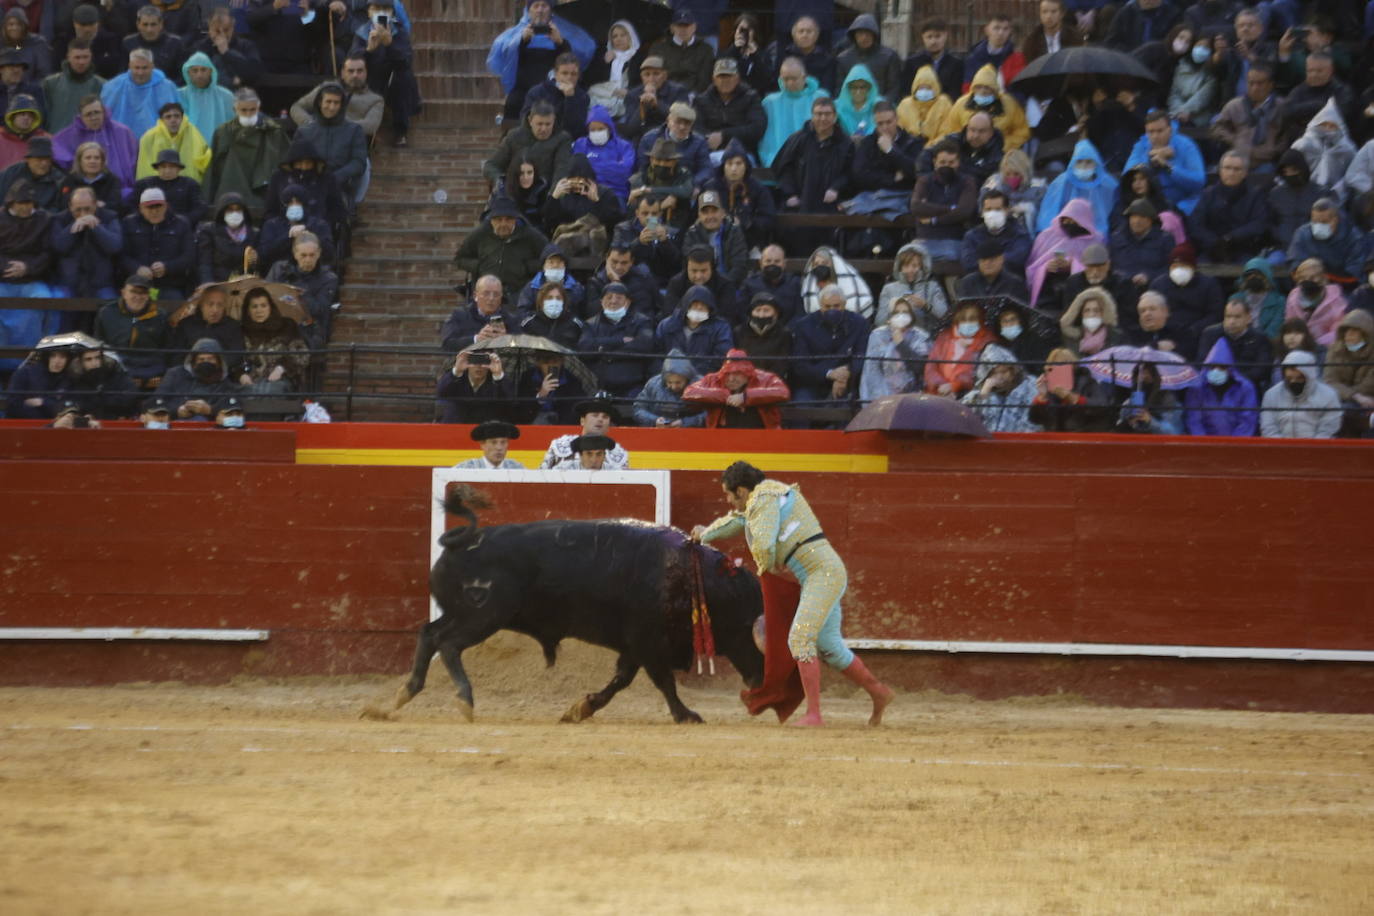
point(679, 755)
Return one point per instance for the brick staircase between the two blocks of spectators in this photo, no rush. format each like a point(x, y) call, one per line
point(398, 286)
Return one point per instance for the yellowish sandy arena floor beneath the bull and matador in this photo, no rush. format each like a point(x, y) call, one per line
point(275, 799)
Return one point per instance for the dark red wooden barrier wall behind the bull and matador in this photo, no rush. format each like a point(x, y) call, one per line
point(1038, 540)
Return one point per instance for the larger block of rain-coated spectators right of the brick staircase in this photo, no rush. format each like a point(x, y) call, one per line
point(686, 220)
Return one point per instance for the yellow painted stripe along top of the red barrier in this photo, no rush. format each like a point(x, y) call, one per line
point(642, 461)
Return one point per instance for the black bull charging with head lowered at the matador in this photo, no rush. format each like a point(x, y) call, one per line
point(622, 584)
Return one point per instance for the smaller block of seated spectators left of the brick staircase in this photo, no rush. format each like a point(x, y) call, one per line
point(139, 167)
